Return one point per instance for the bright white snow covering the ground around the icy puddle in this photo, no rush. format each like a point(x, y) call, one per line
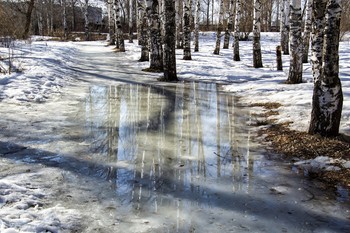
point(47, 67)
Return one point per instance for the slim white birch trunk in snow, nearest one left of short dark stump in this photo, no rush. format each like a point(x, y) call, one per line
point(257, 58)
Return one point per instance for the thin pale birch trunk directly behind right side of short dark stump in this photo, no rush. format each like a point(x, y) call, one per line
point(285, 26)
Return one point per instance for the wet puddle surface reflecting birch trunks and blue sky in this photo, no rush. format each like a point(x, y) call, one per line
point(188, 141)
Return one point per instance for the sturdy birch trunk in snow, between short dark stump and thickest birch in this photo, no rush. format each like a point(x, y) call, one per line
point(296, 45)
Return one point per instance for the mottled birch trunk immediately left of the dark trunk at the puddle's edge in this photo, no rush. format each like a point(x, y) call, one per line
point(154, 27)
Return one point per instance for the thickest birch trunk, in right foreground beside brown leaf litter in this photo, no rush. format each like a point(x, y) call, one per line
point(327, 101)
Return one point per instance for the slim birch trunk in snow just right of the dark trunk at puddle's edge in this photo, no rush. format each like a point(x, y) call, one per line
point(187, 31)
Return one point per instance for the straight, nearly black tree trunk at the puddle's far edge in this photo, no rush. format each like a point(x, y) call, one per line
point(169, 41)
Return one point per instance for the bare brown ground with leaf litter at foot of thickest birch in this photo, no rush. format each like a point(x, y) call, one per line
point(296, 146)
